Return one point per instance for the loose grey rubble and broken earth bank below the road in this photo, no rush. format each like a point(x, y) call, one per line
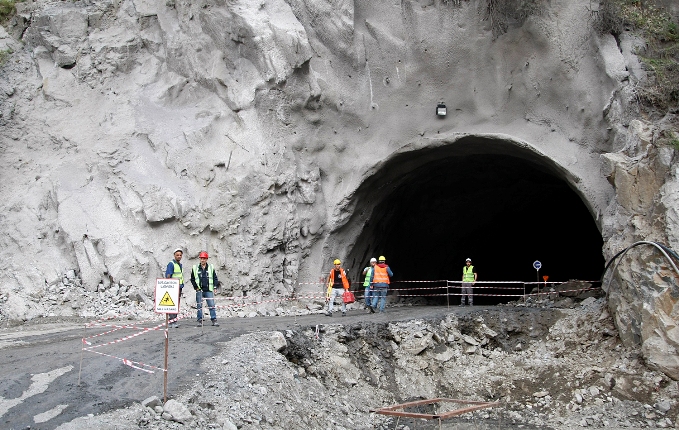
point(550, 364)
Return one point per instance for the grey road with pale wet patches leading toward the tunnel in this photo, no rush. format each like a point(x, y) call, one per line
point(48, 380)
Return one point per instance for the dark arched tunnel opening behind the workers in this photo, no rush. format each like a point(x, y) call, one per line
point(489, 201)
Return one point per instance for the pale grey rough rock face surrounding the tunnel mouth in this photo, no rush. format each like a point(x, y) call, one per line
point(263, 131)
